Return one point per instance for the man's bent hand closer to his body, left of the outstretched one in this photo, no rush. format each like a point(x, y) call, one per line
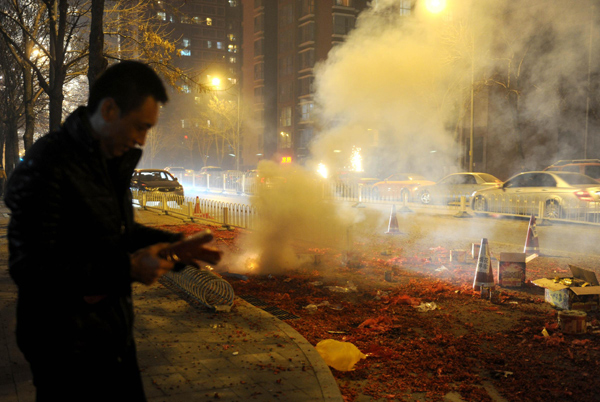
point(146, 265)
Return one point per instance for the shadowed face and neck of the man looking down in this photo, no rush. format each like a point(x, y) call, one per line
point(129, 131)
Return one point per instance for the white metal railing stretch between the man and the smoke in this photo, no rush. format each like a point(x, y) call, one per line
point(226, 213)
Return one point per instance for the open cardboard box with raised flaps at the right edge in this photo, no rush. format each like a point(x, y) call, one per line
point(582, 294)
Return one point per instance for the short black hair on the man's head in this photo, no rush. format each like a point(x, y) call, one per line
point(129, 83)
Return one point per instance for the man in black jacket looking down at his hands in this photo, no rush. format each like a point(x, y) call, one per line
point(75, 248)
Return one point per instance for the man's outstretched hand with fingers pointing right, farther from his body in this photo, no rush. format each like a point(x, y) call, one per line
point(191, 250)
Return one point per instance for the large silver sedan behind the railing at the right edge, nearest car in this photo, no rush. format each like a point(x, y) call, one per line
point(561, 192)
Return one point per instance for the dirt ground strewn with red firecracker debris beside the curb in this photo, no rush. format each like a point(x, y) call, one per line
point(426, 333)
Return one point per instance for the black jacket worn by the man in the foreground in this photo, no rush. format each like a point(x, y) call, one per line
point(70, 234)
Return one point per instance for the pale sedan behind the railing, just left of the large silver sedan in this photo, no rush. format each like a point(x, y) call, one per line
point(450, 188)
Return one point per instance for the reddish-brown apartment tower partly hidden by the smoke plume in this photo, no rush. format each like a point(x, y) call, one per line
point(283, 39)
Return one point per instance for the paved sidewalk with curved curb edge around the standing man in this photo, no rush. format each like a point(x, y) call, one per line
point(189, 354)
